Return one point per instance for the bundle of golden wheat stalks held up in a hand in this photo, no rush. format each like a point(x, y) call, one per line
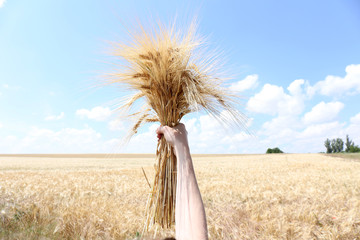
point(165, 68)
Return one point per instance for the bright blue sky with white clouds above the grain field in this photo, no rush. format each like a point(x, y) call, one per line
point(296, 65)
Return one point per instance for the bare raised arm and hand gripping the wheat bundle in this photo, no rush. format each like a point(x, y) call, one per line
point(190, 219)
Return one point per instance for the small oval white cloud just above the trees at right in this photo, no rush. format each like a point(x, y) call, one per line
point(323, 112)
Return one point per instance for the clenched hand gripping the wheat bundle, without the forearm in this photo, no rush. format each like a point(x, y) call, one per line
point(173, 135)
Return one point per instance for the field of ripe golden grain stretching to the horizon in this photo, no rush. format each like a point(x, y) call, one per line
point(280, 196)
